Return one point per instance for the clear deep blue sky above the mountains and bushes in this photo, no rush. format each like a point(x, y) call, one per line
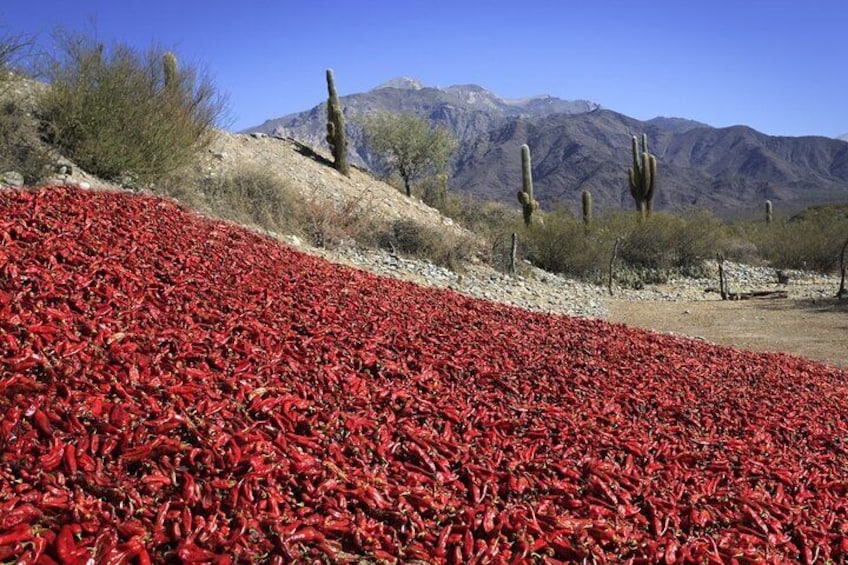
point(780, 66)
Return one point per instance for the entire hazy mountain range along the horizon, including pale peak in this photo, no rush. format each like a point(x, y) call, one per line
point(577, 144)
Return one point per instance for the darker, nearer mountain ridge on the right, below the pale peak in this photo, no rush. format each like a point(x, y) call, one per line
point(718, 168)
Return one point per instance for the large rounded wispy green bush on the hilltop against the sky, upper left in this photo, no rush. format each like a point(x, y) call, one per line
point(110, 111)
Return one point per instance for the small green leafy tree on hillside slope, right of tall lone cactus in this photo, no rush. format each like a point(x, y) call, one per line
point(409, 145)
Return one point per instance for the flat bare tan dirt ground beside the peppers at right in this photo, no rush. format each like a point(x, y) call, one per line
point(815, 329)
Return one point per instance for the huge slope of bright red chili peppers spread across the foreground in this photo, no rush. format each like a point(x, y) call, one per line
point(175, 389)
